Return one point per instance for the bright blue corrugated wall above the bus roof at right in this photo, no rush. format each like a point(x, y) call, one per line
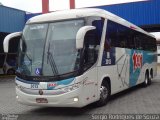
point(139, 13)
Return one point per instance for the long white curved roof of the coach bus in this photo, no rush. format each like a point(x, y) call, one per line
point(83, 12)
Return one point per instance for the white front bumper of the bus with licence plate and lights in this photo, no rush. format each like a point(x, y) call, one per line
point(69, 99)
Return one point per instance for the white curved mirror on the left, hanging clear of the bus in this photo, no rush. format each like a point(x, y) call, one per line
point(8, 38)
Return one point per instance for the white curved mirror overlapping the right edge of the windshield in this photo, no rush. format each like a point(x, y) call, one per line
point(81, 34)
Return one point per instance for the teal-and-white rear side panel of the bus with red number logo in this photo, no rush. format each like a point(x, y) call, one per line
point(140, 61)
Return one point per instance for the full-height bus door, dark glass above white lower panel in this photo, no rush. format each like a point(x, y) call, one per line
point(91, 49)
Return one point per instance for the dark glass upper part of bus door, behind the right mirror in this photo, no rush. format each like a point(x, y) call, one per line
point(92, 42)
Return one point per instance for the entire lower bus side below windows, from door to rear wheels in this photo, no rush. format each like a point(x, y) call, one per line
point(129, 67)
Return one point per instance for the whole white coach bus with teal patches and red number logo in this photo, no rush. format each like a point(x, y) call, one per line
point(76, 57)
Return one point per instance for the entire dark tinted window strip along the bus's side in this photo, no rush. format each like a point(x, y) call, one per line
point(121, 36)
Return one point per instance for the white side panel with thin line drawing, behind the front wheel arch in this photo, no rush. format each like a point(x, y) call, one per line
point(115, 65)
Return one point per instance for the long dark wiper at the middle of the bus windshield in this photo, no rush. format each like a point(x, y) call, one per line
point(51, 61)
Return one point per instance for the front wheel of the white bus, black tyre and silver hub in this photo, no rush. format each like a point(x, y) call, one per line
point(104, 94)
